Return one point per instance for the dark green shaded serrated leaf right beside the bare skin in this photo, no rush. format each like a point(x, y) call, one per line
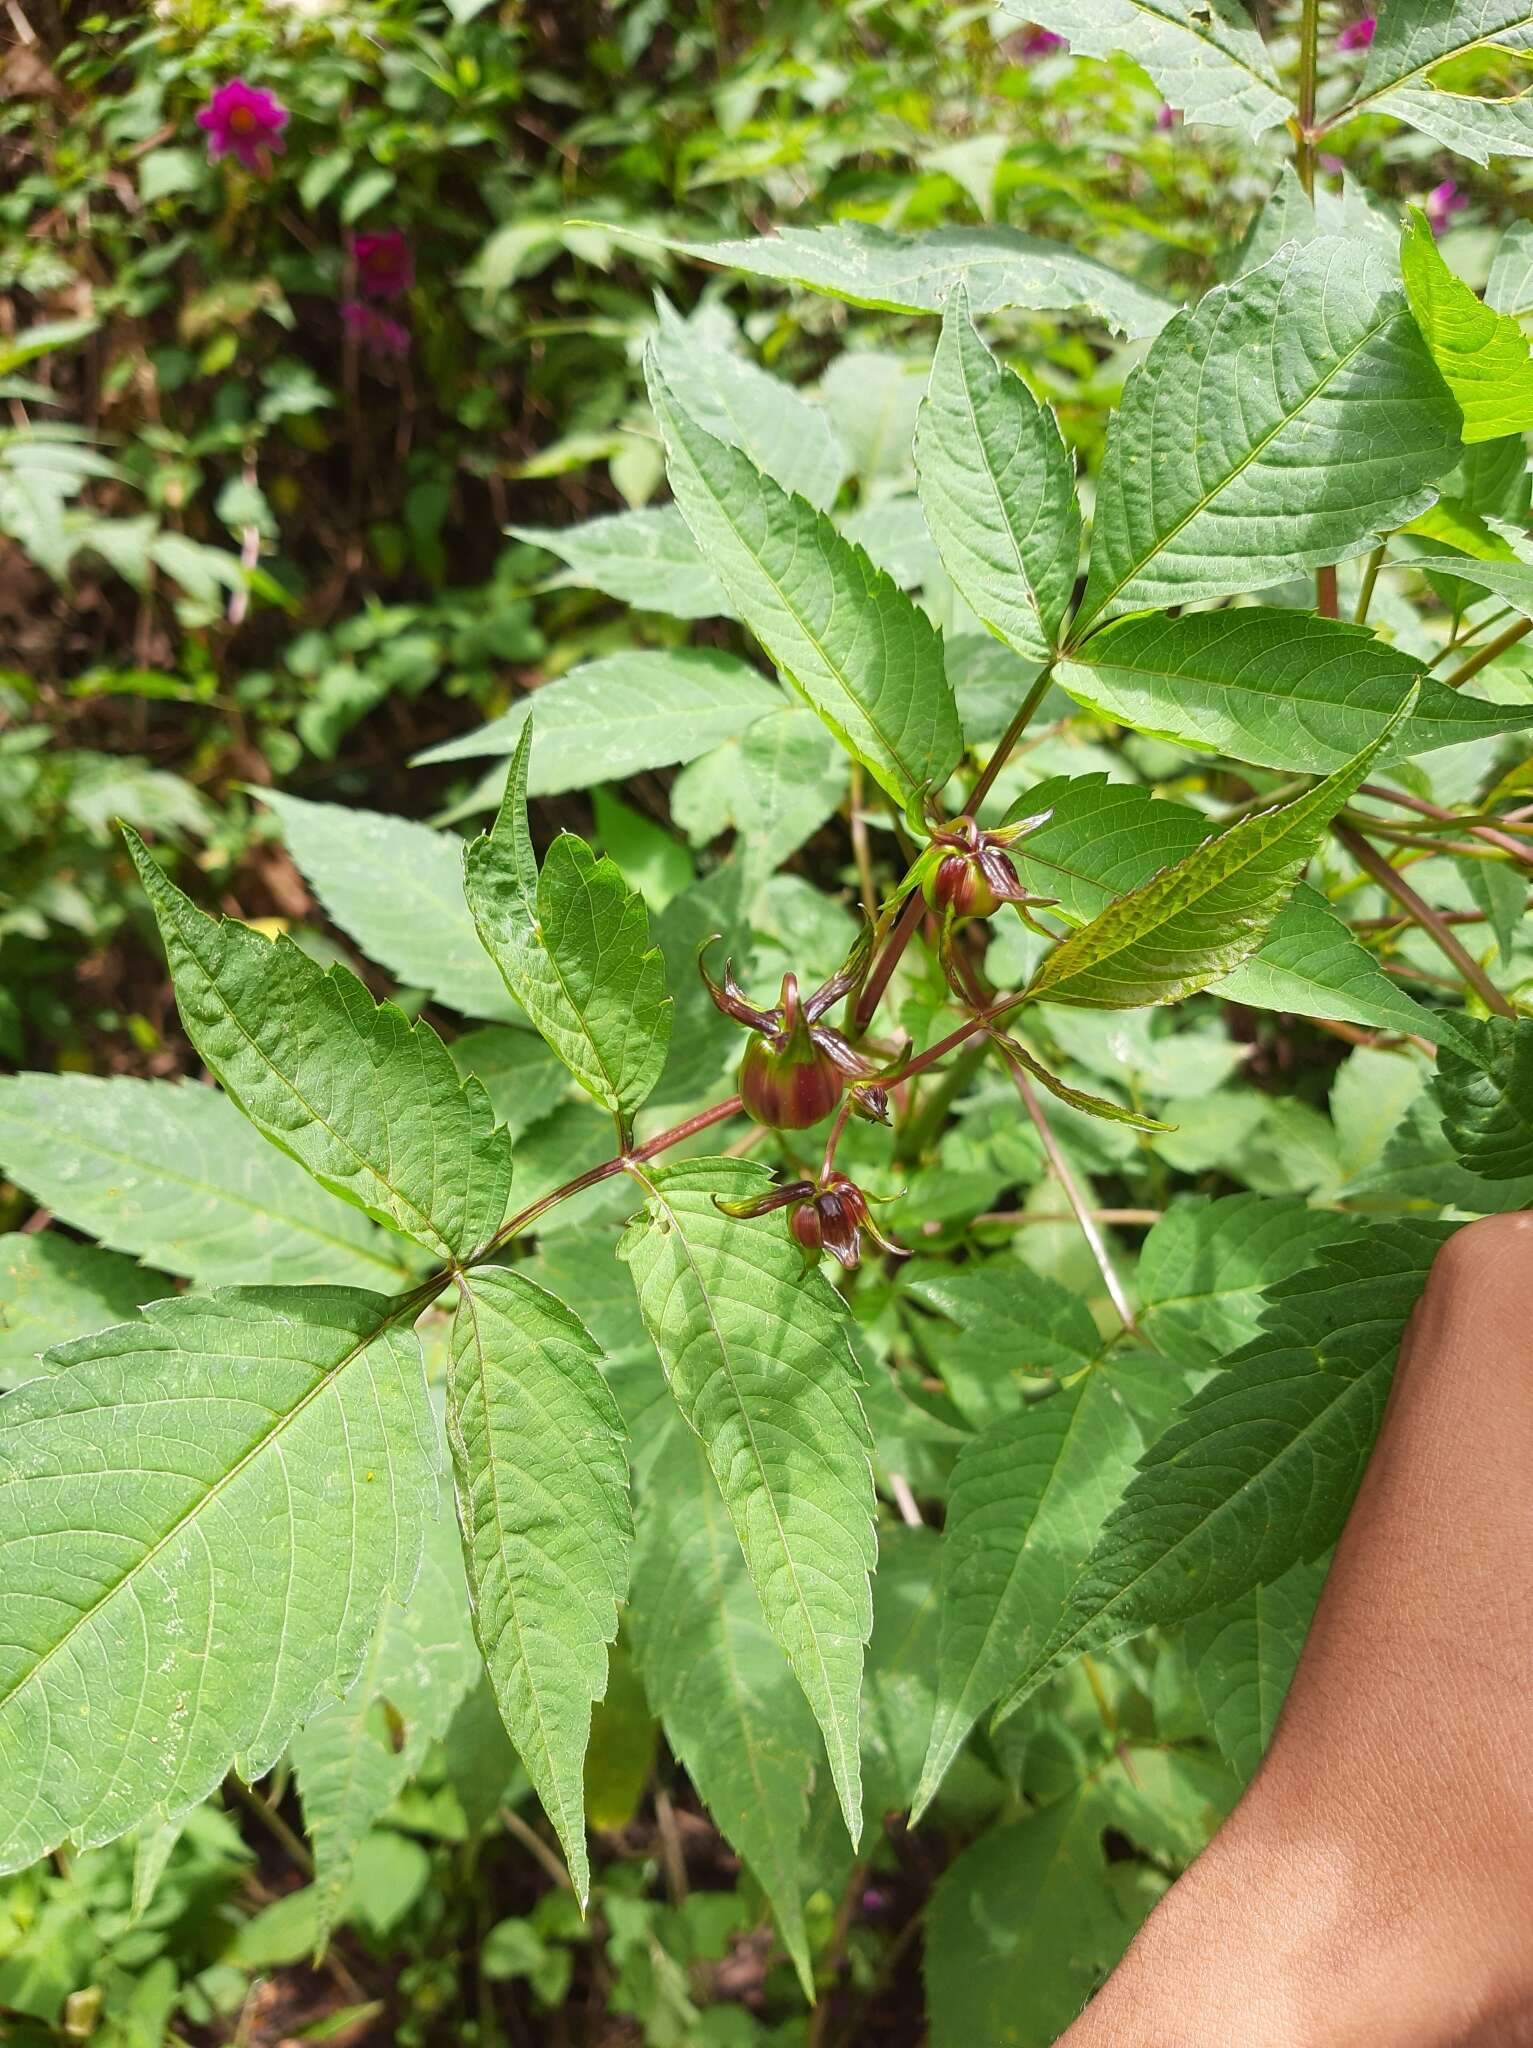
point(1260, 1471)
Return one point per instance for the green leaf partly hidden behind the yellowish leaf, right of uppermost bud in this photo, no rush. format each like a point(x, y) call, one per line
point(1106, 837)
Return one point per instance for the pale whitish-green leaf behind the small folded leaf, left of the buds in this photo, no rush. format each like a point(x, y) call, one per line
point(419, 927)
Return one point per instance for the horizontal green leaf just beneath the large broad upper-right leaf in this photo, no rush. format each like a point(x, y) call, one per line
point(1270, 687)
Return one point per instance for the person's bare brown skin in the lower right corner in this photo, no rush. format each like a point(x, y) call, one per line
point(1374, 1887)
